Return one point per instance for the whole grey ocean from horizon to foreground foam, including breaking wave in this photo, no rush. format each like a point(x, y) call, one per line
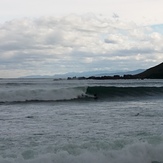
point(81, 121)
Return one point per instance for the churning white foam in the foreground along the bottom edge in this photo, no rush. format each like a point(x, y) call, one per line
point(136, 153)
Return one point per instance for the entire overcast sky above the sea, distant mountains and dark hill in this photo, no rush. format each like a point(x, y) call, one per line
point(47, 37)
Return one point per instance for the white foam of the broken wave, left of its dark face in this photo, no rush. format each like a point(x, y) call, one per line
point(41, 94)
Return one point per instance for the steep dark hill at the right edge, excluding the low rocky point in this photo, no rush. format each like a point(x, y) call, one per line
point(155, 72)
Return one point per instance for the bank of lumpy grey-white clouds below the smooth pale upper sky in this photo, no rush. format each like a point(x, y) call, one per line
point(52, 45)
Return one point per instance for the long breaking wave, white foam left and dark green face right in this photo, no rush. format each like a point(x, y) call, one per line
point(77, 93)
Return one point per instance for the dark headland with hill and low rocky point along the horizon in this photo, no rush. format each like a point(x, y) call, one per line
point(155, 72)
